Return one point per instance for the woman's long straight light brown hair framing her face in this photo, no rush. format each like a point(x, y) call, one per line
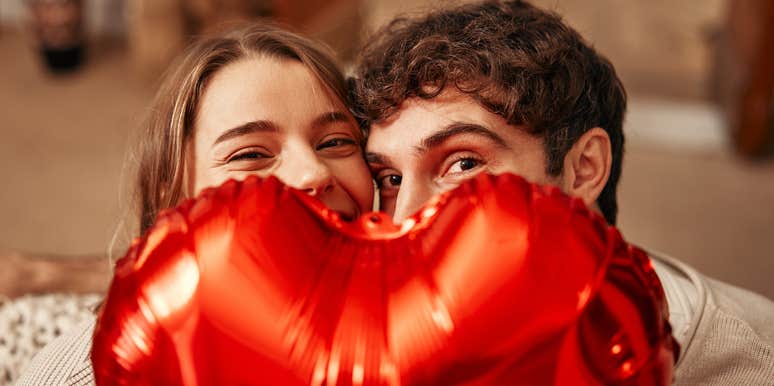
point(162, 146)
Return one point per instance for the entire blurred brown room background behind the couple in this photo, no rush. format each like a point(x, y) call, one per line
point(77, 76)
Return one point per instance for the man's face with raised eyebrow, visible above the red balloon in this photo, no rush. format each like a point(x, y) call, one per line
point(431, 146)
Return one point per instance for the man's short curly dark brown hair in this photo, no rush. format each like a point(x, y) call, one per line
point(516, 60)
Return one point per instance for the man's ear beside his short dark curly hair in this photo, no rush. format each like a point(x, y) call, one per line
point(587, 166)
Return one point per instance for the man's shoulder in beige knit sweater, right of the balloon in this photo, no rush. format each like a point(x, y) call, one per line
point(730, 337)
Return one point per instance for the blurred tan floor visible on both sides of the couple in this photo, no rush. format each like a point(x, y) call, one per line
point(62, 155)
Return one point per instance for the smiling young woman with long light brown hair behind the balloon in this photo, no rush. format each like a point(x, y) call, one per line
point(258, 100)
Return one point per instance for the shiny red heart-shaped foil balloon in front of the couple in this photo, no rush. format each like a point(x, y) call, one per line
point(498, 282)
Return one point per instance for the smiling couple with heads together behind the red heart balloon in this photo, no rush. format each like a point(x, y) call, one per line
point(495, 87)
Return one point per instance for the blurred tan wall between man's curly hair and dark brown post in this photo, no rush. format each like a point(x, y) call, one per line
point(660, 47)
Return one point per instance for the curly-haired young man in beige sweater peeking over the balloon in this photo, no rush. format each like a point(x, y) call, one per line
point(506, 87)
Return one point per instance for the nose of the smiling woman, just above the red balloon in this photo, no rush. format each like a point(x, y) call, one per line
point(306, 172)
